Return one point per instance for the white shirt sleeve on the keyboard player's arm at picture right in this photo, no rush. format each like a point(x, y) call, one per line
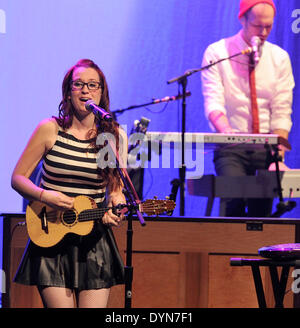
point(281, 103)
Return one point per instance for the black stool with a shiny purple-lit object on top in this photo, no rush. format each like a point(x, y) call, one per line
point(283, 255)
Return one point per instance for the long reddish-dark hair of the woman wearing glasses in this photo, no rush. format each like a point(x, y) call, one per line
point(110, 176)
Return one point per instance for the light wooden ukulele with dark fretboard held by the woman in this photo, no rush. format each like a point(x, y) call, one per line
point(46, 226)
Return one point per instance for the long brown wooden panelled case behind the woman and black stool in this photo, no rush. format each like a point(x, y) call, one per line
point(179, 262)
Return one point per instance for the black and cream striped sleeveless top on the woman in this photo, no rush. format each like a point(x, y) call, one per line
point(71, 168)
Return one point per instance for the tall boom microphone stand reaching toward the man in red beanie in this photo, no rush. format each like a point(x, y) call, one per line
point(182, 81)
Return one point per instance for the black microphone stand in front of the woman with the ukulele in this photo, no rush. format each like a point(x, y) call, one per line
point(132, 205)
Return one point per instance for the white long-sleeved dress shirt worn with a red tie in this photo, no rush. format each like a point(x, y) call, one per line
point(226, 85)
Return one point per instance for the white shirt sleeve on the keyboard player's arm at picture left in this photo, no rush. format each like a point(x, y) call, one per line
point(212, 85)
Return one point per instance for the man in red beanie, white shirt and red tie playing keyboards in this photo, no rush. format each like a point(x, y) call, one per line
point(227, 97)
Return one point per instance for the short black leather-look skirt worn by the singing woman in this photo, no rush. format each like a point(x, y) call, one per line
point(77, 262)
